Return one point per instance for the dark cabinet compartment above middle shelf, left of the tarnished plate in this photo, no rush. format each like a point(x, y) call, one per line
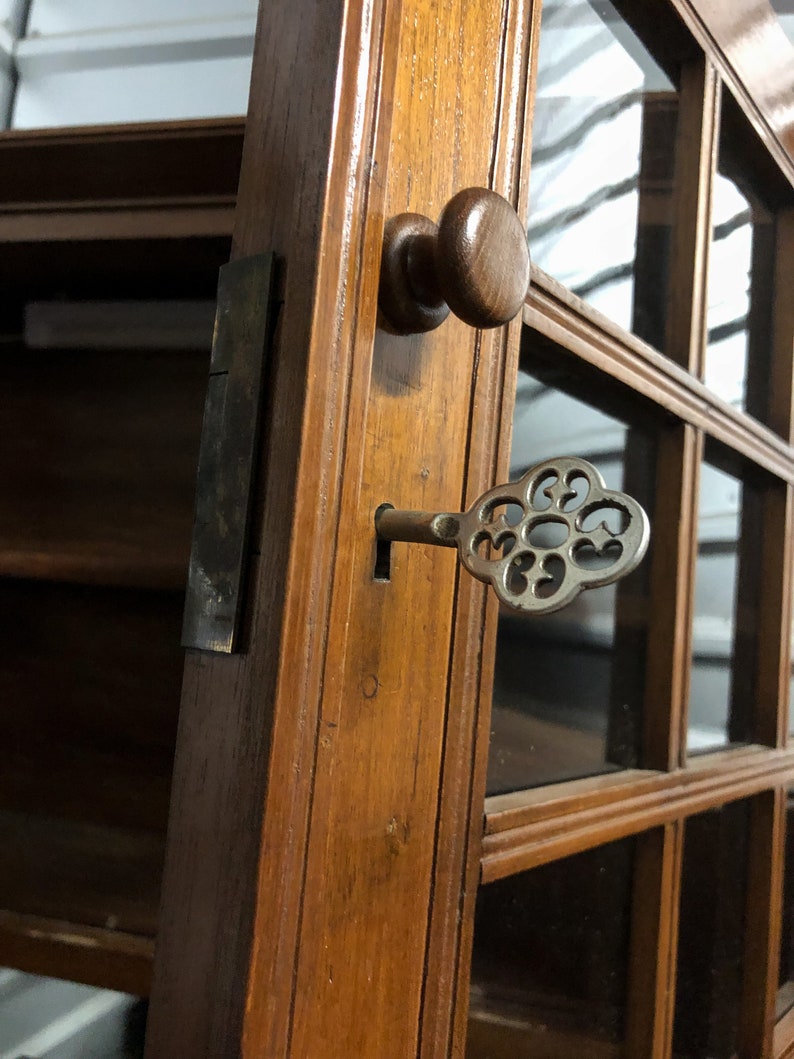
point(98, 458)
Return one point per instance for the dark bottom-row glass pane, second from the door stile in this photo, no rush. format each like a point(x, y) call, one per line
point(712, 935)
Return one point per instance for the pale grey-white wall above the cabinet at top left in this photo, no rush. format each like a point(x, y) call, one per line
point(127, 61)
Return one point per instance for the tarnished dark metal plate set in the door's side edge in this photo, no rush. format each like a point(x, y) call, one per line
point(229, 436)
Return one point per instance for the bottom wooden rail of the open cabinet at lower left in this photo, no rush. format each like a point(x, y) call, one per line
point(107, 959)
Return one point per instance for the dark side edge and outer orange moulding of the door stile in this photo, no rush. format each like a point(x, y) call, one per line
point(225, 966)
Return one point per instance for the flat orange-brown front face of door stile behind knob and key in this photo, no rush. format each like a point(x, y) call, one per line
point(408, 446)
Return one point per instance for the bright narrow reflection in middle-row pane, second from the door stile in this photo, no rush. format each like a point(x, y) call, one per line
point(725, 622)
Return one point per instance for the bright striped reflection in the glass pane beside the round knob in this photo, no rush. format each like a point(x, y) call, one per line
point(588, 120)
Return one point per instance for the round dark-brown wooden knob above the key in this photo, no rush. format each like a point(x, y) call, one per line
point(475, 262)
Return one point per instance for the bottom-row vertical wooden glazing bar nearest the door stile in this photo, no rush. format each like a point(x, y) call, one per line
point(654, 943)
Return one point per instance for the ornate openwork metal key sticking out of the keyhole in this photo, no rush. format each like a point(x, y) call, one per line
point(538, 542)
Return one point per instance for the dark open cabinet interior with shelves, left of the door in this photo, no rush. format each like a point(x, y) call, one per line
point(111, 242)
